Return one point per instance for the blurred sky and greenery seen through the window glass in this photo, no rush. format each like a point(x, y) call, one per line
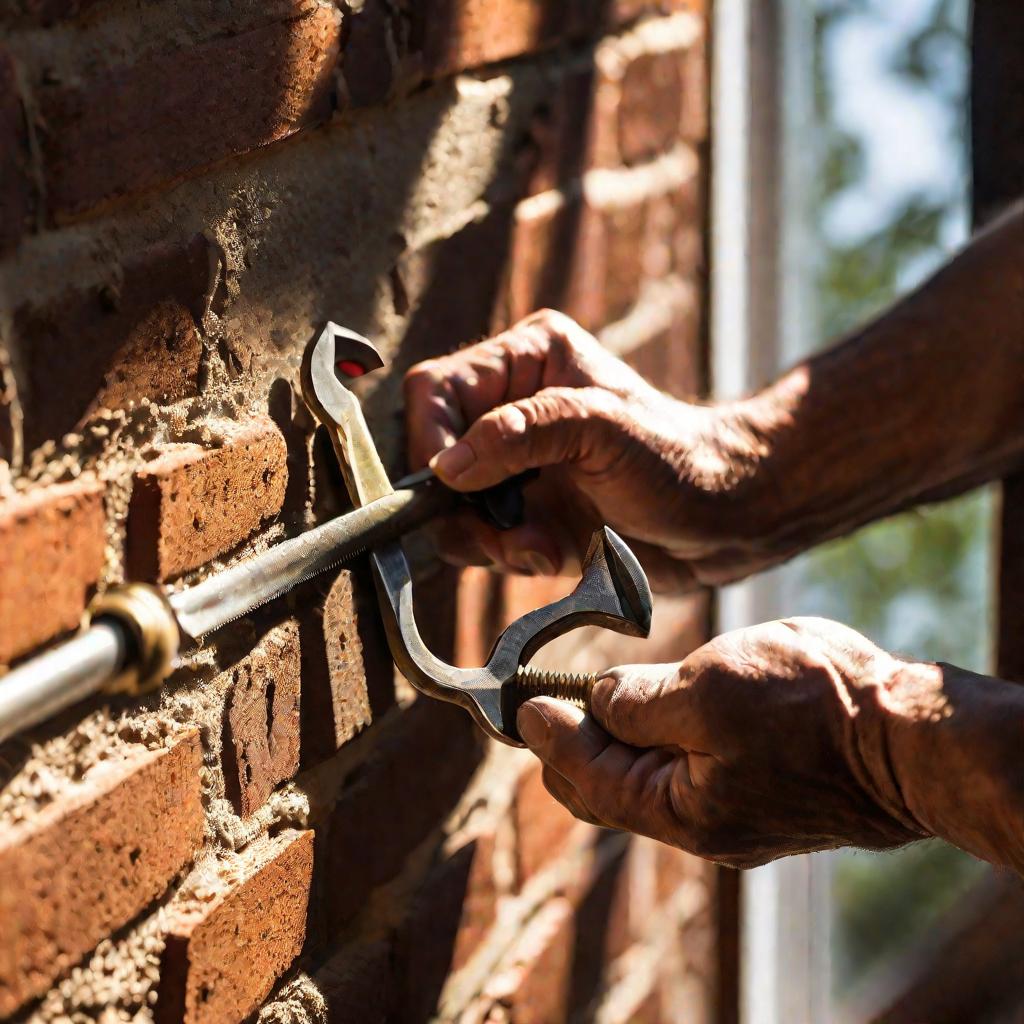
point(891, 204)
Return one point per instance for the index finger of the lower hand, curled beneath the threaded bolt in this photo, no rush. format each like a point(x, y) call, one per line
point(621, 786)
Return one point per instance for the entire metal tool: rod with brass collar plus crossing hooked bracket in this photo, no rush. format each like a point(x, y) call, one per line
point(133, 634)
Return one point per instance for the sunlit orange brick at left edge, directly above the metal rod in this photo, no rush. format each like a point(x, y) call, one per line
point(52, 553)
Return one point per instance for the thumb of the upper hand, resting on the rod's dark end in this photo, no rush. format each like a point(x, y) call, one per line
point(545, 430)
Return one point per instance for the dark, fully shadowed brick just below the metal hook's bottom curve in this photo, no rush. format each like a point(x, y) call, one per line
point(399, 801)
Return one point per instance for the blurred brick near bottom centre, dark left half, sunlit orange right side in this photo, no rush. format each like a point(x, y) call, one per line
point(455, 911)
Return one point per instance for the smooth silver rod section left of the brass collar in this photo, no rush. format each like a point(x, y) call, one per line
point(63, 676)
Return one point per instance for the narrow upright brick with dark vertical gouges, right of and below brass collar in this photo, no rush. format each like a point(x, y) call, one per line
point(262, 724)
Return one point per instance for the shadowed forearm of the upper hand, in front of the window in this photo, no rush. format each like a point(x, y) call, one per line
point(926, 402)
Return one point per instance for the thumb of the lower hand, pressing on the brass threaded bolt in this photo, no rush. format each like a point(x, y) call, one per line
point(647, 706)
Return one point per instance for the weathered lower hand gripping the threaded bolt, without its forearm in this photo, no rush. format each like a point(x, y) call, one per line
point(766, 742)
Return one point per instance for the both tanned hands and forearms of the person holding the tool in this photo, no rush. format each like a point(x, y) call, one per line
point(795, 736)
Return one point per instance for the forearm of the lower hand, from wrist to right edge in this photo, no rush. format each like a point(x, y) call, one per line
point(950, 747)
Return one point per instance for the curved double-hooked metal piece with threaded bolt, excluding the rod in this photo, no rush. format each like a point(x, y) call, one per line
point(613, 593)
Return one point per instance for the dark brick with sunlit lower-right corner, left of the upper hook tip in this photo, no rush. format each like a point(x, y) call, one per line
point(106, 347)
